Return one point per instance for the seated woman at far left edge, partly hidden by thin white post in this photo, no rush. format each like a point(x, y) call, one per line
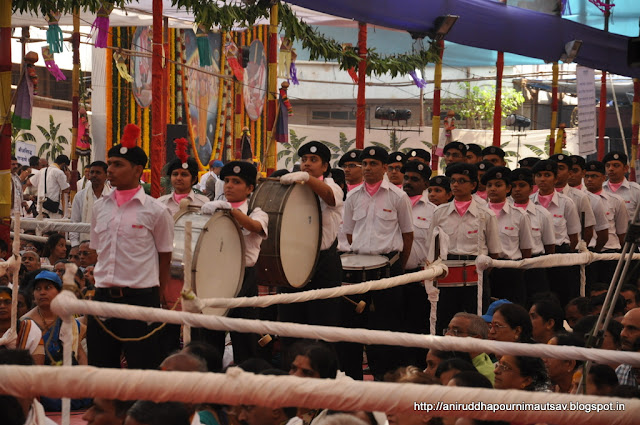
point(29, 335)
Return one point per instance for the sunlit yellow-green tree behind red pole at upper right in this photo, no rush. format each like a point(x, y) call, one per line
point(479, 103)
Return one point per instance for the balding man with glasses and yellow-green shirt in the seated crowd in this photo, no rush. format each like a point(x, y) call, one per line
point(474, 326)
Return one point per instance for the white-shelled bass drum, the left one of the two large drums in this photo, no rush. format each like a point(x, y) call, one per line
point(217, 268)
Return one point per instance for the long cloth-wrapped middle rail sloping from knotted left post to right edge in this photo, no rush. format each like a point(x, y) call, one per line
point(66, 304)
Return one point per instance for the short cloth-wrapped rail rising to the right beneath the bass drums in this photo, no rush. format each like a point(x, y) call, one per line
point(193, 304)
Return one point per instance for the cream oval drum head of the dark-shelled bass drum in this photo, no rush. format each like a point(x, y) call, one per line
point(300, 235)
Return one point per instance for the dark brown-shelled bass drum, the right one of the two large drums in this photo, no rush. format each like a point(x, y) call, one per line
point(289, 255)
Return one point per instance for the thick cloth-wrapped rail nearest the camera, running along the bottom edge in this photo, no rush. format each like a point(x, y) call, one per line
point(238, 387)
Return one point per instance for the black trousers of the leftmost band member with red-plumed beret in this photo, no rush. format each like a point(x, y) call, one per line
point(105, 351)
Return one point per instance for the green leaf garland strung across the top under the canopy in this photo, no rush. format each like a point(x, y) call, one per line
point(210, 14)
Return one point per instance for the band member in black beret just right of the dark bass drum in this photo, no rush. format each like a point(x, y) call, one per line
point(377, 220)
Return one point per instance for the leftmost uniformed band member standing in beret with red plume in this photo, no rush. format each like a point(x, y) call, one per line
point(133, 235)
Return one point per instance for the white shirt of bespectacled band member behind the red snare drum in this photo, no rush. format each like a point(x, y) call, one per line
point(475, 233)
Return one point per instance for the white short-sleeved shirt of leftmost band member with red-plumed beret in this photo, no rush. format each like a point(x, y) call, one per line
point(128, 239)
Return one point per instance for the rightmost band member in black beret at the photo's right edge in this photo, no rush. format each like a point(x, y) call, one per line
point(616, 165)
